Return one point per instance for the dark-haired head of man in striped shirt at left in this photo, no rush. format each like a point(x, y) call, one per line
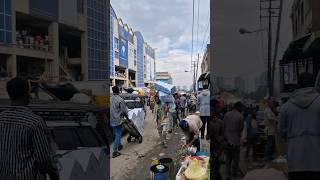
point(19, 90)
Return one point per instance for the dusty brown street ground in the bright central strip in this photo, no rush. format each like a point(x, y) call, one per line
point(134, 164)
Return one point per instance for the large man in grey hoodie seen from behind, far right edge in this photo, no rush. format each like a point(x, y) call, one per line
point(300, 126)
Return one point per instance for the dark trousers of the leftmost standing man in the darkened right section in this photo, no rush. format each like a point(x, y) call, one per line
point(233, 159)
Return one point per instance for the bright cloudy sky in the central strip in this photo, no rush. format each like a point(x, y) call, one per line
point(167, 26)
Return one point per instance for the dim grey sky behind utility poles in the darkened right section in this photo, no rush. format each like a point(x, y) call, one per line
point(243, 55)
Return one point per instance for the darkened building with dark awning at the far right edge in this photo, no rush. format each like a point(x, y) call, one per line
point(303, 53)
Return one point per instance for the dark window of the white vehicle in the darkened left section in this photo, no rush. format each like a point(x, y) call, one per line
point(66, 138)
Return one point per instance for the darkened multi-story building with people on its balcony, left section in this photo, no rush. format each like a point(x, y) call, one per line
point(65, 40)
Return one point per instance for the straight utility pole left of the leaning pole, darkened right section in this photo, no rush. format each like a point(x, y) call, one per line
point(270, 50)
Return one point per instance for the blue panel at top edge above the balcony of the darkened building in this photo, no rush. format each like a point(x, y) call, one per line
point(44, 8)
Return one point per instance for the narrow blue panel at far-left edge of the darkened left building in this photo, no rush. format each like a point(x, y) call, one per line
point(5, 21)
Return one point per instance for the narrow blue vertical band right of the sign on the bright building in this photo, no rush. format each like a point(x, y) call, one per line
point(140, 71)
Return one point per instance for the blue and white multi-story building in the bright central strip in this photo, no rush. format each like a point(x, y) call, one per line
point(132, 60)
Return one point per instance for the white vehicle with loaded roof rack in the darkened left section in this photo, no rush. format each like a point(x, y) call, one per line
point(76, 132)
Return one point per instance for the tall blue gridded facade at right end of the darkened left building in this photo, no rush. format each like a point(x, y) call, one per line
point(97, 39)
